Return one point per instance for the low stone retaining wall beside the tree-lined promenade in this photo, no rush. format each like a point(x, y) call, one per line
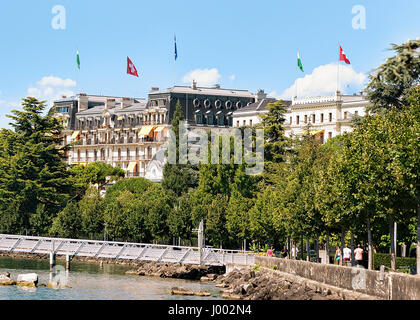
point(387, 285)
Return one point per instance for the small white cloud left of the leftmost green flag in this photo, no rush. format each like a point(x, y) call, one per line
point(52, 88)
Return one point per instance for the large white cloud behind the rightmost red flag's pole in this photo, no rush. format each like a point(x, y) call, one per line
point(323, 80)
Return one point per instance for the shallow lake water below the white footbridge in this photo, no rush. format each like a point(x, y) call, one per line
point(89, 281)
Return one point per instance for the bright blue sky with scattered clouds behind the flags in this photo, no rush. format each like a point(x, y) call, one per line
point(238, 44)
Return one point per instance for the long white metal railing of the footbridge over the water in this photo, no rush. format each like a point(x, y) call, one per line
point(123, 250)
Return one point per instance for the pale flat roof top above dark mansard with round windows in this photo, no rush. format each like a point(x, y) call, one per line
point(216, 91)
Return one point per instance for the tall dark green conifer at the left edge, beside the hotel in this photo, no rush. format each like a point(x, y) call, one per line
point(31, 165)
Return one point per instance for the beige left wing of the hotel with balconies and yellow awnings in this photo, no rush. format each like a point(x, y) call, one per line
point(119, 131)
